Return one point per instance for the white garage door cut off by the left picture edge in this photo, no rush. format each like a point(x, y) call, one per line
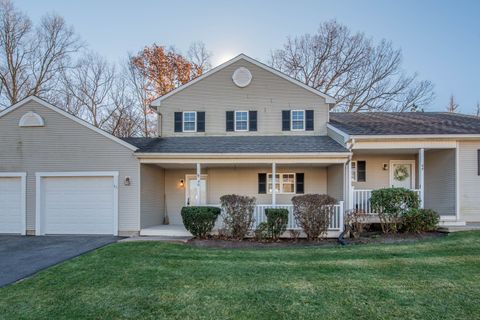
point(12, 200)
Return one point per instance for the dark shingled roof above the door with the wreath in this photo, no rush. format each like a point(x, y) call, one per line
point(405, 123)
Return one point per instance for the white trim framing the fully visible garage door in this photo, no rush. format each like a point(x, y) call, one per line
point(38, 192)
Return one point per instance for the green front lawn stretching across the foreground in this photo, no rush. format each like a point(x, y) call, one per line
point(432, 279)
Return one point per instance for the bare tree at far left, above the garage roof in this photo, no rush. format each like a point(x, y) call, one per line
point(32, 59)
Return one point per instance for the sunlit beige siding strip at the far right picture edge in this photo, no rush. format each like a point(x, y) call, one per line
point(469, 181)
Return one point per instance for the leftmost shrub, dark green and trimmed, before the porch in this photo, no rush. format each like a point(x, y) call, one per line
point(199, 220)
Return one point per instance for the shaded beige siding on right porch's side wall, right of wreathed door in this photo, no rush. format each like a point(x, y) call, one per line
point(440, 181)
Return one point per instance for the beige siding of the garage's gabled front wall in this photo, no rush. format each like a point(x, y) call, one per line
point(65, 145)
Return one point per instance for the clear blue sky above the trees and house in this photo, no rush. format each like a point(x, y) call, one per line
point(440, 40)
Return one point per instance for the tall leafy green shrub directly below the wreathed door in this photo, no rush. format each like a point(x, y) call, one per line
point(391, 204)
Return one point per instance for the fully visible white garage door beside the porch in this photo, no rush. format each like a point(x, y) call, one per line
point(77, 205)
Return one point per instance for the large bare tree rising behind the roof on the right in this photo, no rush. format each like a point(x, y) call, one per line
point(360, 75)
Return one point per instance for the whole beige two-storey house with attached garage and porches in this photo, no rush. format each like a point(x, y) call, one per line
point(241, 128)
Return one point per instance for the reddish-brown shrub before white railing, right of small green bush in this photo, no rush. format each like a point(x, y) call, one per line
point(312, 213)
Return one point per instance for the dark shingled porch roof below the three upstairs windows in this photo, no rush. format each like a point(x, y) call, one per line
point(238, 144)
